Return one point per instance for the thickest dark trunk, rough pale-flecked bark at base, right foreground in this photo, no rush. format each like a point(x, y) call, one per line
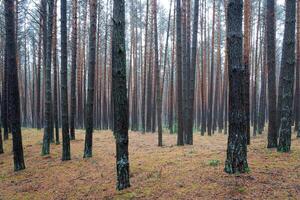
point(236, 161)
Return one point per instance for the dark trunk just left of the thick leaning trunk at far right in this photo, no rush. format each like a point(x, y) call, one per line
point(270, 29)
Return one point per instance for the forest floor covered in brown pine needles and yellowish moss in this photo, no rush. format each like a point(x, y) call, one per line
point(170, 172)
